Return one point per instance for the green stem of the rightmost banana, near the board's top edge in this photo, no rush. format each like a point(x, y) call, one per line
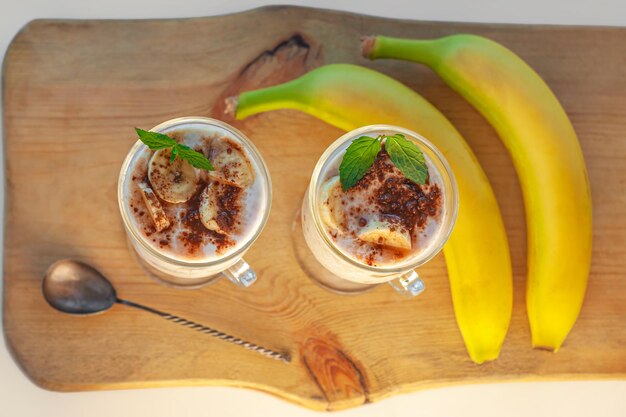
point(423, 51)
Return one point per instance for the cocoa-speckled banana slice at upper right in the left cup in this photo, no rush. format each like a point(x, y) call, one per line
point(230, 163)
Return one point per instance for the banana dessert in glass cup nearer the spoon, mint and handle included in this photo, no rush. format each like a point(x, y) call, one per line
point(192, 208)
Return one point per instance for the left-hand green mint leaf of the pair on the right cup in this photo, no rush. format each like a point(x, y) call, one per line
point(358, 158)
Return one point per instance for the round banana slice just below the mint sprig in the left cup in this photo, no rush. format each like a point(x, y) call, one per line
point(174, 182)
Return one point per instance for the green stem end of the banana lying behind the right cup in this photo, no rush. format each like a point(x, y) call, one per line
point(271, 98)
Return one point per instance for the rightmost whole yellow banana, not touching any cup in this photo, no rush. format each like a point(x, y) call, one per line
point(547, 156)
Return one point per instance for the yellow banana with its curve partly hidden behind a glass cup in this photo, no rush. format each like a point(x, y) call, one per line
point(477, 254)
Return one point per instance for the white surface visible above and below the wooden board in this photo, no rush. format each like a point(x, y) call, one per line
point(19, 397)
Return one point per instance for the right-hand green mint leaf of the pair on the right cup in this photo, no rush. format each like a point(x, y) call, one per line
point(407, 157)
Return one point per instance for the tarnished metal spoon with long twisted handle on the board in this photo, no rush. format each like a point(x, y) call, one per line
point(76, 288)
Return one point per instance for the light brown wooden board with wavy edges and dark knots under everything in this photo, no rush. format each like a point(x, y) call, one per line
point(74, 89)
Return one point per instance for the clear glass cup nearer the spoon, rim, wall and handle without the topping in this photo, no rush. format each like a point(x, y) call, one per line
point(185, 273)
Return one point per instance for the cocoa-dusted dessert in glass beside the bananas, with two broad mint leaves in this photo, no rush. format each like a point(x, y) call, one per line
point(383, 224)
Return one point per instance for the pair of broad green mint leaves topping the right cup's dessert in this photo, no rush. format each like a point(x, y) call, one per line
point(362, 152)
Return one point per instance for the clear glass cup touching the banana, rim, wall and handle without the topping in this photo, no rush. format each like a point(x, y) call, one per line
point(339, 272)
